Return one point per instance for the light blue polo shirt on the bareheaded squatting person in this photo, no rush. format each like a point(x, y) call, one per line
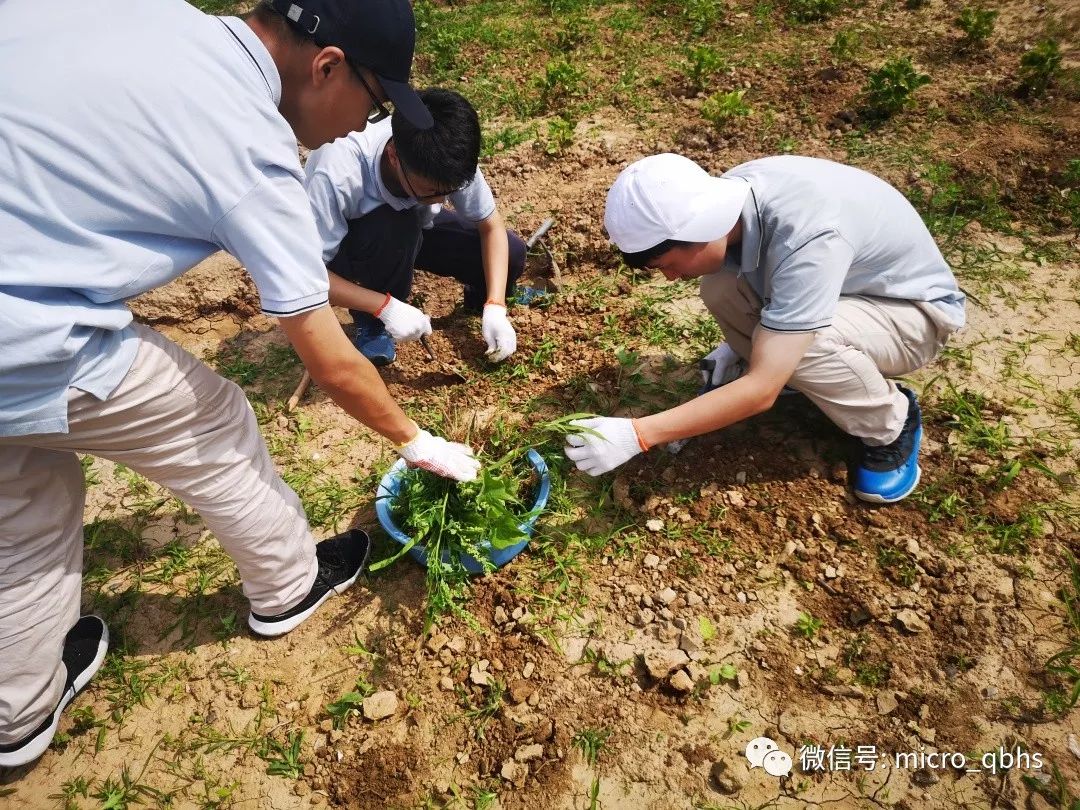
point(345, 183)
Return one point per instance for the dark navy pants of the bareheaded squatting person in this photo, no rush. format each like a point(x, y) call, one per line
point(383, 249)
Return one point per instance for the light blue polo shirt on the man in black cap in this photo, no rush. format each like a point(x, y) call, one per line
point(136, 141)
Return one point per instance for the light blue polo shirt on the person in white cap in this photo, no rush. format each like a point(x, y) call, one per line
point(815, 231)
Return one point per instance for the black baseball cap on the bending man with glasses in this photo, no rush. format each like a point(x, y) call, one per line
point(380, 35)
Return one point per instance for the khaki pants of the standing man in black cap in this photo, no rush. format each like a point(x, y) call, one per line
point(179, 424)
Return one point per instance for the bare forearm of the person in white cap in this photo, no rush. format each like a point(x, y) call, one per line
point(726, 406)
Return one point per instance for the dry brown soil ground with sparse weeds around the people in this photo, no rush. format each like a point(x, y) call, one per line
point(667, 615)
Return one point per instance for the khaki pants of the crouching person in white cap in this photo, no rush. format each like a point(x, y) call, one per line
point(845, 371)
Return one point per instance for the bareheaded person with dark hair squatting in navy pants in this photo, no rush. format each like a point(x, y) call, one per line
point(379, 200)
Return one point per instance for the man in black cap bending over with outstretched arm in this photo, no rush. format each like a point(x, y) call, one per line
point(138, 140)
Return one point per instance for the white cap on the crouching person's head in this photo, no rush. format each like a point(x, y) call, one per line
point(670, 197)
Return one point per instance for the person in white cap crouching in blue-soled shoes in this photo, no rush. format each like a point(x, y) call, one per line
point(823, 279)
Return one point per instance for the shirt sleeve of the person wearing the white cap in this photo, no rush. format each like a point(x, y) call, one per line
point(805, 288)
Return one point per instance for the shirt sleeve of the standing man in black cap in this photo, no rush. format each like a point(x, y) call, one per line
point(273, 233)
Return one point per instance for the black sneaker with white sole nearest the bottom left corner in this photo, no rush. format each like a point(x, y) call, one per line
point(85, 649)
